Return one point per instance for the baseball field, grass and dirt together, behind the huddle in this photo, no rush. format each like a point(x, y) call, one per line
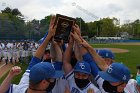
point(126, 53)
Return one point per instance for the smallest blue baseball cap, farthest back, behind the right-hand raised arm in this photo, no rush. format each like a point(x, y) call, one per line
point(105, 53)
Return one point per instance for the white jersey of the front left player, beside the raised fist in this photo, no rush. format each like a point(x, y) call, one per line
point(22, 86)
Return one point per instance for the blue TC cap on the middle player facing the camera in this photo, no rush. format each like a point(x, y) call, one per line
point(83, 67)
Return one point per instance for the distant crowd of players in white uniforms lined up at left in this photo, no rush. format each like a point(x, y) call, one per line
point(13, 52)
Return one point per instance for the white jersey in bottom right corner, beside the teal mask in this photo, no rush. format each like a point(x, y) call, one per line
point(131, 87)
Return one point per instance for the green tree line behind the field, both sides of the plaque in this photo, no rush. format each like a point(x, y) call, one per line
point(12, 22)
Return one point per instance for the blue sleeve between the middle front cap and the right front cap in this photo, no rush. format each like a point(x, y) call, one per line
point(94, 68)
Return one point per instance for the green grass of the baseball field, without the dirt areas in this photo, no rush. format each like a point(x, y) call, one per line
point(130, 59)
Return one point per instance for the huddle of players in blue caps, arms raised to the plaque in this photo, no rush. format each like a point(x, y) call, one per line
point(75, 67)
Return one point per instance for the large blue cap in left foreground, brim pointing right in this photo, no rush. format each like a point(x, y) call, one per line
point(42, 71)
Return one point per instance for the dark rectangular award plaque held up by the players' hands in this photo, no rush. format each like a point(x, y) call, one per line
point(63, 28)
